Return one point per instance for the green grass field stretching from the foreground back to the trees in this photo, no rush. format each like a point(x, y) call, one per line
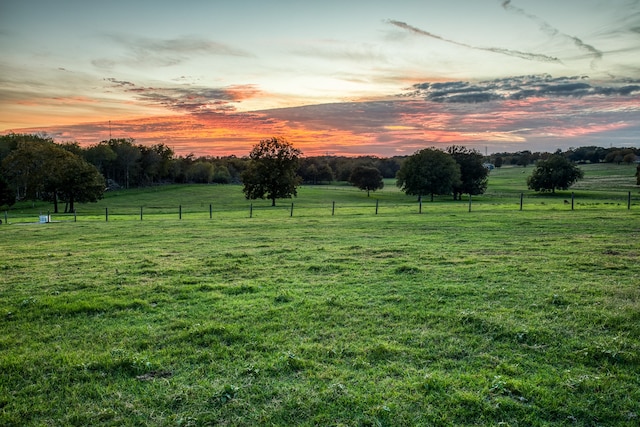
point(491, 317)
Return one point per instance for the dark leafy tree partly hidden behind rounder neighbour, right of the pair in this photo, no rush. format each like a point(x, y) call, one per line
point(473, 174)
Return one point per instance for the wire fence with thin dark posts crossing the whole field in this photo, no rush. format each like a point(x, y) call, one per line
point(292, 209)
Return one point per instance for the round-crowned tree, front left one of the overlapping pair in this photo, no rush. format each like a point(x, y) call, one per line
point(428, 171)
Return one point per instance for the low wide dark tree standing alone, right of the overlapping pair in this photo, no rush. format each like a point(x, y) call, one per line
point(555, 172)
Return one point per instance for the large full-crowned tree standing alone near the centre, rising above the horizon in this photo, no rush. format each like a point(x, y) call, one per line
point(272, 170)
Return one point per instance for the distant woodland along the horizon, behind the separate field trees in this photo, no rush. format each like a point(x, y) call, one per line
point(126, 164)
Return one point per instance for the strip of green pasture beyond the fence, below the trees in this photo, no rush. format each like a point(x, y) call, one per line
point(604, 185)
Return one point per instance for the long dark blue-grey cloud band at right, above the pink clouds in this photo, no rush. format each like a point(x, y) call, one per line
point(519, 88)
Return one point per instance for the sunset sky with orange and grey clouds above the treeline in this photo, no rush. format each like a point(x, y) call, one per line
point(346, 77)
